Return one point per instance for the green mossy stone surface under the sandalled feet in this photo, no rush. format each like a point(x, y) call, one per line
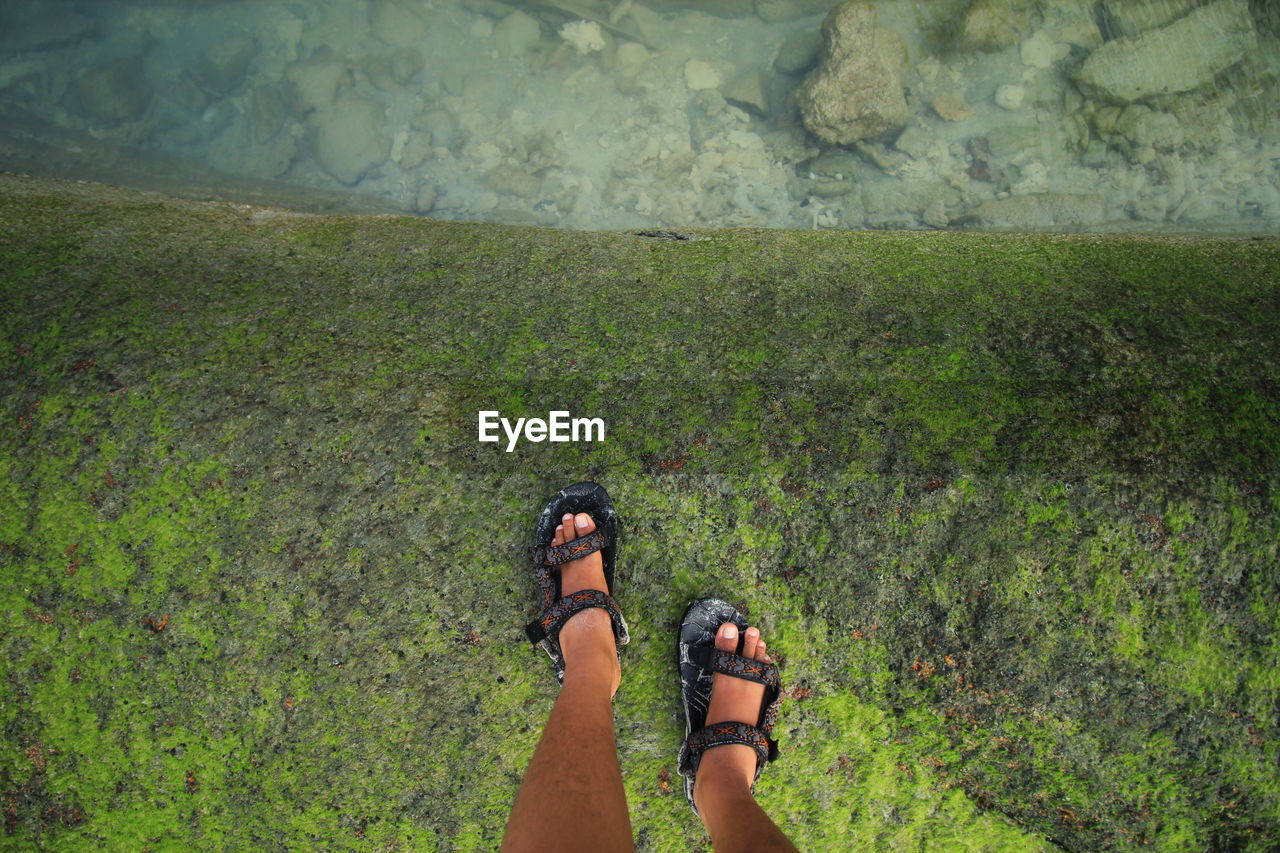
point(1005, 507)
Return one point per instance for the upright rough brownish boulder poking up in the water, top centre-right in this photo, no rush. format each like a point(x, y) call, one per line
point(857, 90)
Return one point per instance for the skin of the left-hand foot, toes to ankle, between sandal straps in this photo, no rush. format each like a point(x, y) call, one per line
point(587, 640)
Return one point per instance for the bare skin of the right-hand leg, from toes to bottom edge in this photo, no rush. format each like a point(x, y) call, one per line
point(724, 786)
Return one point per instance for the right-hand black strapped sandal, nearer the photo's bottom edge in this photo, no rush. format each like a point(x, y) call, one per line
point(700, 660)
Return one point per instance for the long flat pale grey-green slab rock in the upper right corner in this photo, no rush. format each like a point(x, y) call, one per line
point(1178, 58)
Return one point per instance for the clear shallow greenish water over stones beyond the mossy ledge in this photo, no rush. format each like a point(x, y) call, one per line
point(661, 113)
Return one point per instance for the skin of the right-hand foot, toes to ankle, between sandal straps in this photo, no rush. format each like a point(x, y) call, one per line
point(734, 700)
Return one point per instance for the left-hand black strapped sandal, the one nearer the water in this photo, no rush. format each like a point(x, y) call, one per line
point(593, 500)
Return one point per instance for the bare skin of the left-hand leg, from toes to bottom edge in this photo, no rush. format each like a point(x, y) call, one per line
point(573, 796)
